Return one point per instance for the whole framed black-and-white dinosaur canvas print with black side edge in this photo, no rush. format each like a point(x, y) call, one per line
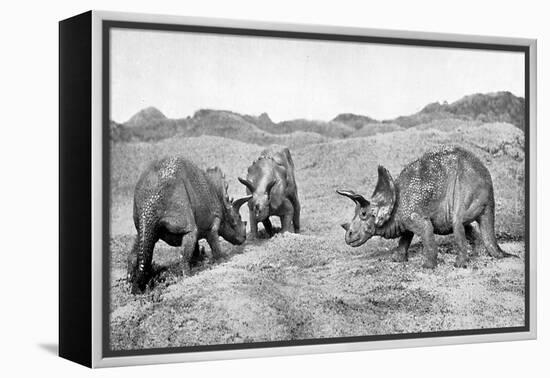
point(234, 189)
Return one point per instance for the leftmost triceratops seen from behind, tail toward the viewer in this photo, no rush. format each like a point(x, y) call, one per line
point(177, 202)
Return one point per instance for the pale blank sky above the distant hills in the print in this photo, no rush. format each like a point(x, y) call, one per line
point(179, 73)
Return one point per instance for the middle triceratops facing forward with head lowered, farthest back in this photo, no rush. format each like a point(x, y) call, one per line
point(271, 182)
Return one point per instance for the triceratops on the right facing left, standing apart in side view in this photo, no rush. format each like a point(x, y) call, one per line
point(443, 192)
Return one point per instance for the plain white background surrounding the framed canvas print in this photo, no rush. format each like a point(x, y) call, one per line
point(28, 279)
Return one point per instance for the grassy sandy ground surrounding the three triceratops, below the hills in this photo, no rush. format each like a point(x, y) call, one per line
point(313, 285)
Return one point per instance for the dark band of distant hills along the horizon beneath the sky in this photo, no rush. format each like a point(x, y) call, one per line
point(151, 125)
